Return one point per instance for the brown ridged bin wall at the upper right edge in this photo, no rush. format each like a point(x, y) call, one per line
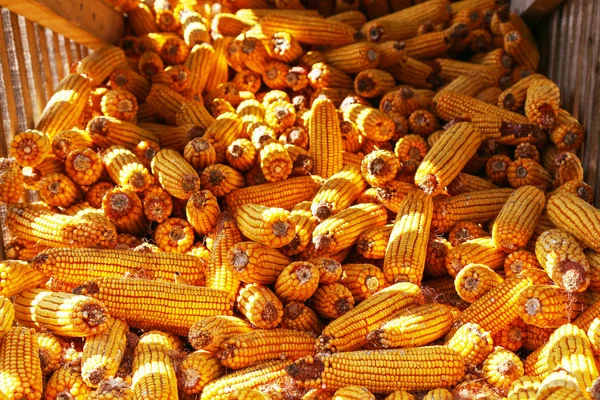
point(569, 42)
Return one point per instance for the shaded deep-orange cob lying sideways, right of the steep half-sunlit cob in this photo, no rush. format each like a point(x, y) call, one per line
point(480, 206)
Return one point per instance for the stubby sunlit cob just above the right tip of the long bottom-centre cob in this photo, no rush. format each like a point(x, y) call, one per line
point(472, 342)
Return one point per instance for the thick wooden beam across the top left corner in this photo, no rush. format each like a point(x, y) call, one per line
point(91, 23)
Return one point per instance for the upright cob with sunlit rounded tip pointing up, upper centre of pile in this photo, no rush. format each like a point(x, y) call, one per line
point(325, 138)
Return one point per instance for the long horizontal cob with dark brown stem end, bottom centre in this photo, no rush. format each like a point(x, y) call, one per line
point(323, 369)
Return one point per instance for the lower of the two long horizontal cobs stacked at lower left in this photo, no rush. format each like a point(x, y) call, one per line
point(121, 298)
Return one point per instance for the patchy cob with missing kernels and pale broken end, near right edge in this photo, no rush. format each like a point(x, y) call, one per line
point(563, 259)
